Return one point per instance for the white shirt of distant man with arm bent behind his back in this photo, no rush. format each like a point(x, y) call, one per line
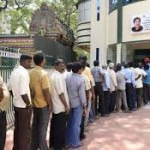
point(139, 82)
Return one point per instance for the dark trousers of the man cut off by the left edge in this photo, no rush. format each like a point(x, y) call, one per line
point(3, 125)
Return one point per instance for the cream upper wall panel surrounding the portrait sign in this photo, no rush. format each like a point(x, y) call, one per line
point(130, 10)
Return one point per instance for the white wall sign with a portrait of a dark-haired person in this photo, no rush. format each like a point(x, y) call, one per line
point(140, 24)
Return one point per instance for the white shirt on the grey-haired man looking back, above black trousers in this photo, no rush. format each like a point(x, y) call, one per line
point(59, 87)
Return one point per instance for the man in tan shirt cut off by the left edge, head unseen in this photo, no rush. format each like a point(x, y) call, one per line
point(4, 105)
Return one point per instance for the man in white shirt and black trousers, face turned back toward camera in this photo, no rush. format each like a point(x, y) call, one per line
point(60, 106)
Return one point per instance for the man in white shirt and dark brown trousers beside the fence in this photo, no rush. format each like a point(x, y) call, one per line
point(19, 85)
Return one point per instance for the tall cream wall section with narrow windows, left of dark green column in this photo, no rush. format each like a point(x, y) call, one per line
point(99, 32)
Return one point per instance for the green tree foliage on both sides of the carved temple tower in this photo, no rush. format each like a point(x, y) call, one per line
point(21, 16)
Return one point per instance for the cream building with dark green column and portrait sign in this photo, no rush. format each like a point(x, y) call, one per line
point(107, 29)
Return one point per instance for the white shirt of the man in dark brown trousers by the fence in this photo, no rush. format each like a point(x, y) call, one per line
point(19, 84)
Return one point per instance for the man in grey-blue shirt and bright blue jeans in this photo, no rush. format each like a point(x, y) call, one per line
point(77, 97)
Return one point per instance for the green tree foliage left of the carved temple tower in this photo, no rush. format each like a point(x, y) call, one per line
point(20, 12)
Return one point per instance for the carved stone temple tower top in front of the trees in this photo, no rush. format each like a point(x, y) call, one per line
point(45, 23)
